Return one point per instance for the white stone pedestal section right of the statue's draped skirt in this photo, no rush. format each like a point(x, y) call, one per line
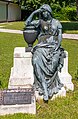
point(64, 76)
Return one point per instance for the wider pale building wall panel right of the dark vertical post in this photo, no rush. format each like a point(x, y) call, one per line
point(14, 12)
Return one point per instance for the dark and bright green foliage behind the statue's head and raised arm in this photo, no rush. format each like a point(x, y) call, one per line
point(62, 9)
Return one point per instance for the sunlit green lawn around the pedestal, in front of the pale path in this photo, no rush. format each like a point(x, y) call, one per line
point(61, 108)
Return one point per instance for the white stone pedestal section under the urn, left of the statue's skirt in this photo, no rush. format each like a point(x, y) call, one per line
point(22, 70)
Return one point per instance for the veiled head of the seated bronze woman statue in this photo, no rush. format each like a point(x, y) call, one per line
point(46, 11)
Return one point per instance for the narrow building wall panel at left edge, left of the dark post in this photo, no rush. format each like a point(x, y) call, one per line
point(3, 13)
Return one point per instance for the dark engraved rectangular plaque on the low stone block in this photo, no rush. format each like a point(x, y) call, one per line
point(16, 96)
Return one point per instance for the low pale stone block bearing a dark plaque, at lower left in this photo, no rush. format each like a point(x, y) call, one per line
point(17, 101)
